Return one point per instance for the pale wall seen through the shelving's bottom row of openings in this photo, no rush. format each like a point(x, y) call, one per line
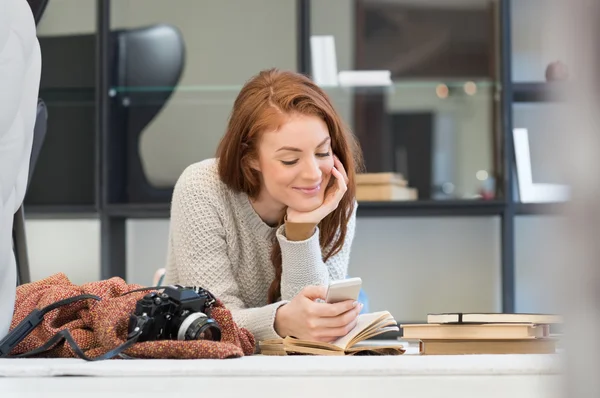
point(410, 266)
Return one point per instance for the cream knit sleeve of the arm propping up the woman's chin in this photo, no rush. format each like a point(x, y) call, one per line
point(303, 265)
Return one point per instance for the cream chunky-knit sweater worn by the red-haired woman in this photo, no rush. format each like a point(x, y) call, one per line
point(217, 241)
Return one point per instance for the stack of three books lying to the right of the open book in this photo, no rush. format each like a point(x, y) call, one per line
point(480, 333)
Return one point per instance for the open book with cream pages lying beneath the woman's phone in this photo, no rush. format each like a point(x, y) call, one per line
point(368, 326)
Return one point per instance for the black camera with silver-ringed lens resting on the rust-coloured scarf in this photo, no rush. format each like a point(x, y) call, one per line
point(178, 313)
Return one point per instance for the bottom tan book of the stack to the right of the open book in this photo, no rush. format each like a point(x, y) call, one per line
point(470, 347)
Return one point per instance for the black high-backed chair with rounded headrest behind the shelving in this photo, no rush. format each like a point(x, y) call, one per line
point(147, 64)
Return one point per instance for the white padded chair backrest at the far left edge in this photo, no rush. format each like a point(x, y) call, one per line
point(20, 70)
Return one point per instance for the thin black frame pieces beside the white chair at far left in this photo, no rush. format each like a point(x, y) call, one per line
point(19, 236)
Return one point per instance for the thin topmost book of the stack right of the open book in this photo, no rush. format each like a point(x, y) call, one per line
point(471, 317)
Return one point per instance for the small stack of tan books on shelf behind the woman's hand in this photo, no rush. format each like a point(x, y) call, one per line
point(383, 187)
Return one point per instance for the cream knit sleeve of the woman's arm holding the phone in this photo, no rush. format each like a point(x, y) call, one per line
point(199, 250)
